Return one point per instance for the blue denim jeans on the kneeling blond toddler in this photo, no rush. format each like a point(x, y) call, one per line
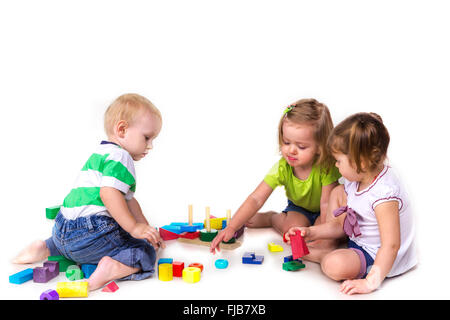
point(88, 239)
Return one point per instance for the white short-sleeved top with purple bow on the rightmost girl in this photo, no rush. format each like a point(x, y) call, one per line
point(386, 187)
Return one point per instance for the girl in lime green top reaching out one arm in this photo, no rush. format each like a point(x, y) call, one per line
point(306, 170)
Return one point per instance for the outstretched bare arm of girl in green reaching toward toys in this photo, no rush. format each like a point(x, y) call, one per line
point(248, 209)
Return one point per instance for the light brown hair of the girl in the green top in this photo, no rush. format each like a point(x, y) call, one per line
point(315, 113)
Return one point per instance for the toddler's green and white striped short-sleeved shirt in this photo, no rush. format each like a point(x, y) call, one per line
point(108, 166)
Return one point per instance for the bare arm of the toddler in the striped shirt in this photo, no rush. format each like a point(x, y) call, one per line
point(116, 204)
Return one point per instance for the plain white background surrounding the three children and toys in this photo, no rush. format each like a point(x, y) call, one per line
point(221, 72)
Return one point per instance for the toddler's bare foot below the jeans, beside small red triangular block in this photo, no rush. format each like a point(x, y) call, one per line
point(107, 270)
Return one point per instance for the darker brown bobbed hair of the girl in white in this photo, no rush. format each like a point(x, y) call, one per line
point(363, 138)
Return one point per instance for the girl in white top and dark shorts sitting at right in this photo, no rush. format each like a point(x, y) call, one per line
point(371, 208)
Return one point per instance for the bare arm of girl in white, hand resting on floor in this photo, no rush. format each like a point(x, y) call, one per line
point(389, 226)
